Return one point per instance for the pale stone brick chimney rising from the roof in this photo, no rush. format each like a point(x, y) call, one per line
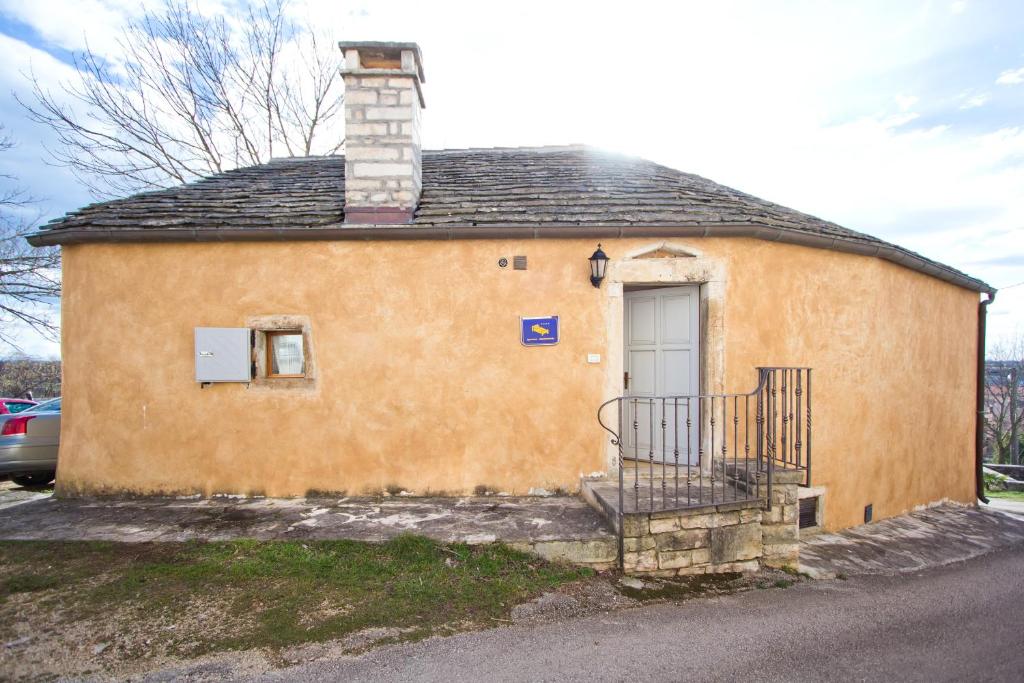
point(383, 101)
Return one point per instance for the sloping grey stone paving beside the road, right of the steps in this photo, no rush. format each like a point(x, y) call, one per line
point(915, 542)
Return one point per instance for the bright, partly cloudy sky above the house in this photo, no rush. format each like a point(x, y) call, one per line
point(905, 120)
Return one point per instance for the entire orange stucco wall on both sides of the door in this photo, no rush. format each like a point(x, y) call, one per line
point(422, 382)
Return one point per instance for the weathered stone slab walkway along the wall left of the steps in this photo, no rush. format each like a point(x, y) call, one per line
point(559, 528)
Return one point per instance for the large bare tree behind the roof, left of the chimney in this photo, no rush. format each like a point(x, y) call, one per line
point(192, 96)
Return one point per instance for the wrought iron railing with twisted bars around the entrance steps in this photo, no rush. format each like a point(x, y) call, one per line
point(684, 452)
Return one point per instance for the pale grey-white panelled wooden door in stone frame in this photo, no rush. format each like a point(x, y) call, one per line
point(662, 363)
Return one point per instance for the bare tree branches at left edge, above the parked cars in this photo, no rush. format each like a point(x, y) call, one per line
point(30, 279)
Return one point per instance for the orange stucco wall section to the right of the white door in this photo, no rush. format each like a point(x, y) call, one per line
point(894, 360)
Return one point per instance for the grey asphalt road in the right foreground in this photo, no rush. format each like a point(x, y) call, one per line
point(959, 623)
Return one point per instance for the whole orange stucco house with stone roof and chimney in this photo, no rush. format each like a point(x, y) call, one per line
point(362, 323)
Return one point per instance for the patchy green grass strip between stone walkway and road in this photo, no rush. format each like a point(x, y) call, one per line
point(275, 594)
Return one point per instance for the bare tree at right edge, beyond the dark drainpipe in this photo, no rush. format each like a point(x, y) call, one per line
point(1005, 401)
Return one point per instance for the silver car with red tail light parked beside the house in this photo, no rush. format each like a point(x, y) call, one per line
point(29, 445)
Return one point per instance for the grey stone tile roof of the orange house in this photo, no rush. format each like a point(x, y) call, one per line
point(571, 187)
